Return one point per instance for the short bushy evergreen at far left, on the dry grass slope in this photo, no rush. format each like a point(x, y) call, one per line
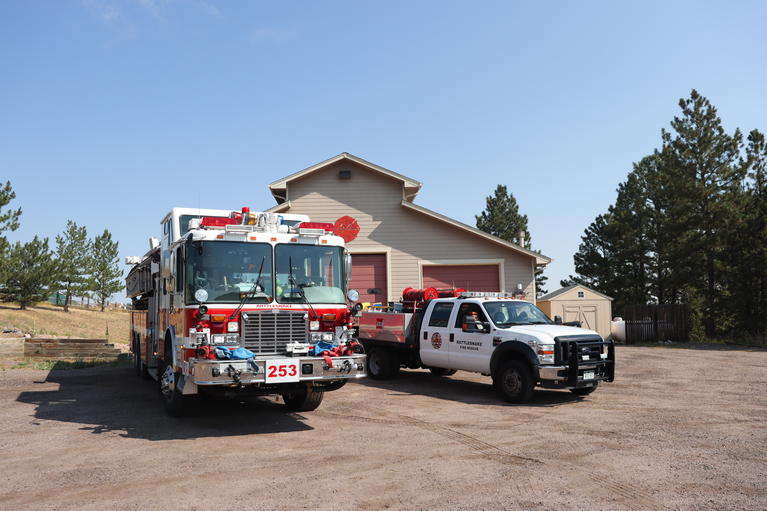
point(30, 272)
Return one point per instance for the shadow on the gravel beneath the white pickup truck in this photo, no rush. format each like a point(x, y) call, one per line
point(455, 388)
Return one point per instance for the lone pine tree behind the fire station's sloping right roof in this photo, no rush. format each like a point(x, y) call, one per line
point(502, 219)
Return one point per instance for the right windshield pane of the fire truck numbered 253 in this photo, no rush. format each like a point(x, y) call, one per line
point(316, 275)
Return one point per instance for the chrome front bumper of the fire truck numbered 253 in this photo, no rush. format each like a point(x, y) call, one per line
point(253, 372)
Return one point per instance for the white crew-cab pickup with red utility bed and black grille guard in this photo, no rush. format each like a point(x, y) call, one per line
point(511, 340)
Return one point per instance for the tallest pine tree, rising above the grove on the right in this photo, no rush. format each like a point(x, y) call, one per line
point(703, 163)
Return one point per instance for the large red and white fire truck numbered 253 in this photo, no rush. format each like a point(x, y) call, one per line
point(246, 302)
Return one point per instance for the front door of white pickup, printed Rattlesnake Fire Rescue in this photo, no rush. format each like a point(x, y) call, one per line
point(470, 339)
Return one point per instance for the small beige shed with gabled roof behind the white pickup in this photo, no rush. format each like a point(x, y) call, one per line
point(579, 303)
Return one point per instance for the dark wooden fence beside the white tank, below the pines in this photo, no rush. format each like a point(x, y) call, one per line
point(654, 323)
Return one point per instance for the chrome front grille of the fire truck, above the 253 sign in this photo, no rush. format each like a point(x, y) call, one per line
point(267, 333)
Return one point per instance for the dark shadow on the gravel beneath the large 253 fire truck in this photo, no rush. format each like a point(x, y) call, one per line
point(108, 399)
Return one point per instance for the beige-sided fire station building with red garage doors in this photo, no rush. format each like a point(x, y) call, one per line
point(397, 243)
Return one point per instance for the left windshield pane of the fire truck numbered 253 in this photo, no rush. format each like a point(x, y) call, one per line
point(226, 270)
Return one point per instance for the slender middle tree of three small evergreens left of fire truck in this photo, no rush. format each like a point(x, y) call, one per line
point(72, 254)
